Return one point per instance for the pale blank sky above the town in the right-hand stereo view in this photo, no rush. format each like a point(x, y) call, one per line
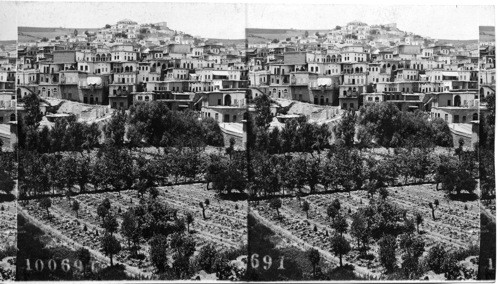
point(443, 22)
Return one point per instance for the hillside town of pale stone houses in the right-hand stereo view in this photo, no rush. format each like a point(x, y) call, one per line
point(358, 64)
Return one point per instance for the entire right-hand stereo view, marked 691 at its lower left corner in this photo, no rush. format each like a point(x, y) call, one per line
point(370, 142)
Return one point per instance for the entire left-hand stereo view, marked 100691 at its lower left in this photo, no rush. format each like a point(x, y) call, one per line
point(131, 142)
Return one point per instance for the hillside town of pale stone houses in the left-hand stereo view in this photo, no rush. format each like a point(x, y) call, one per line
point(127, 63)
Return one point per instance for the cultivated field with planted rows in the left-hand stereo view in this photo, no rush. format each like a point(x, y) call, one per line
point(224, 226)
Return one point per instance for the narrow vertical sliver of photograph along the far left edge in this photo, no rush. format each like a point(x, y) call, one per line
point(8, 141)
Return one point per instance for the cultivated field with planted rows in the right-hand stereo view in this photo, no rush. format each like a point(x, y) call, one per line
point(456, 225)
